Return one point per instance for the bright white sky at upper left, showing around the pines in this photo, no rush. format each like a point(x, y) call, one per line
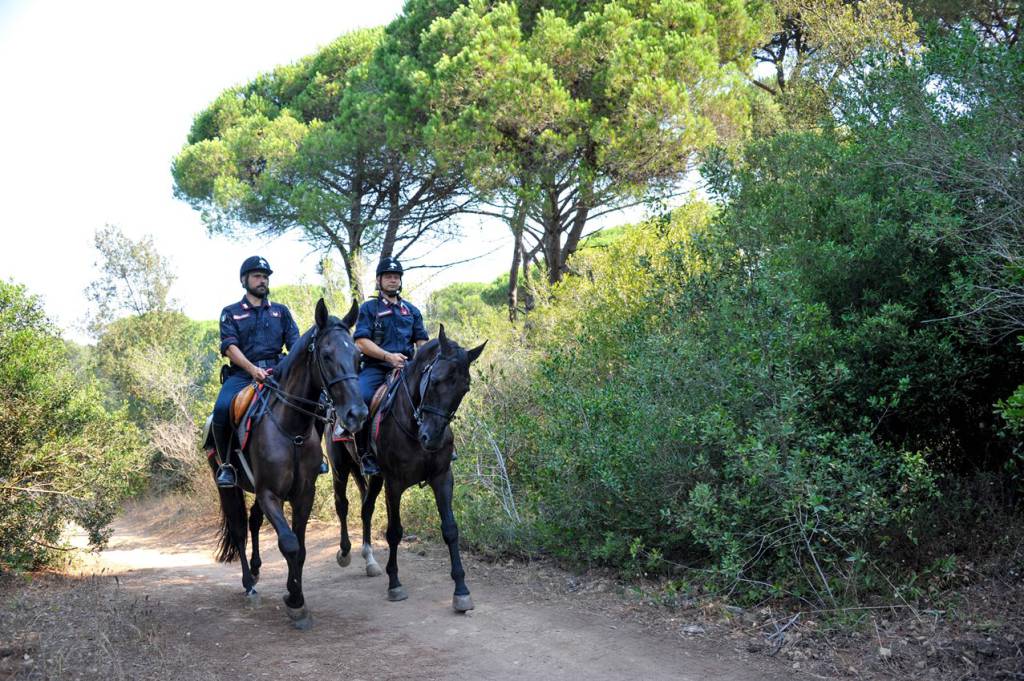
point(96, 101)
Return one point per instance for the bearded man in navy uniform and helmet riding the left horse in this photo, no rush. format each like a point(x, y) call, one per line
point(252, 334)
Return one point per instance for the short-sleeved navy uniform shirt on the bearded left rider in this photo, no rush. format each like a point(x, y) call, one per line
point(260, 332)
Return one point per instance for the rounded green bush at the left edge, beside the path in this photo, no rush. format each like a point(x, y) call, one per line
point(64, 458)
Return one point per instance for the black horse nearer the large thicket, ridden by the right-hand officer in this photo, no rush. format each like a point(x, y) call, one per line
point(415, 446)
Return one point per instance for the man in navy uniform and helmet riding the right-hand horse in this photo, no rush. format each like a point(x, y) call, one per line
point(388, 331)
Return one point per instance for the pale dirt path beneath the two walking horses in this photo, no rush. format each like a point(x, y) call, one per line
point(519, 630)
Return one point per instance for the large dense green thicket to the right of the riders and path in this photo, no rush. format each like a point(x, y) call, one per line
point(782, 394)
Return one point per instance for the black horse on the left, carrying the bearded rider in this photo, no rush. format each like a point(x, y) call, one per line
point(285, 452)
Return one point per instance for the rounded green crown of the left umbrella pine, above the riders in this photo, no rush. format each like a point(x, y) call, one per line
point(311, 148)
